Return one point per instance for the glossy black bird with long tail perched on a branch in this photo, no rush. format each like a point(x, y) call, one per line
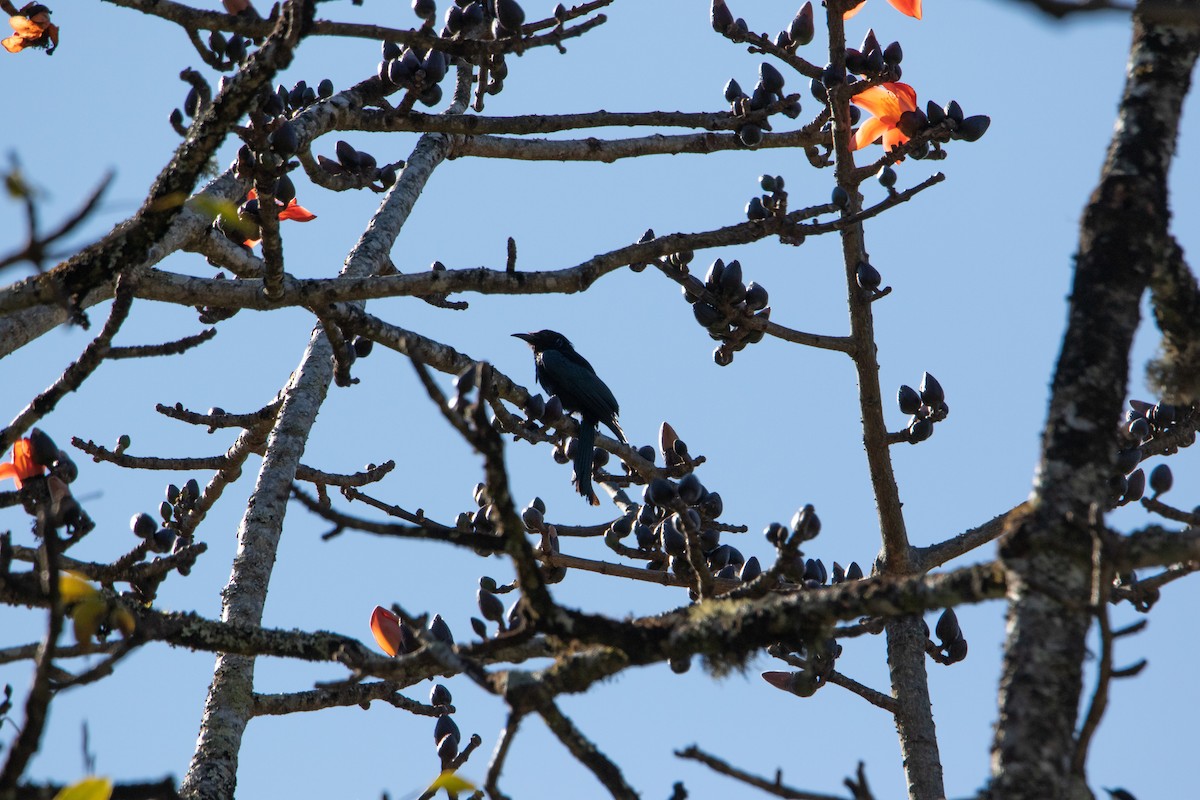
point(562, 371)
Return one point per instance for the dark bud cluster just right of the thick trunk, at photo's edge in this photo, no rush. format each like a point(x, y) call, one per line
point(1174, 426)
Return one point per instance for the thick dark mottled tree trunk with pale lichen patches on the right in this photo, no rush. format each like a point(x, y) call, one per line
point(1049, 550)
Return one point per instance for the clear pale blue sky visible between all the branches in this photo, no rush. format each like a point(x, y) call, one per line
point(980, 268)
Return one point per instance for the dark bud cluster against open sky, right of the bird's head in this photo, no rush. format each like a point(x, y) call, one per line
point(723, 305)
